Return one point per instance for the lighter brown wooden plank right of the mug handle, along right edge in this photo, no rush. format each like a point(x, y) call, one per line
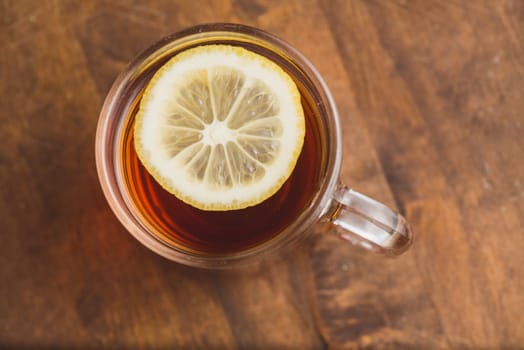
point(429, 87)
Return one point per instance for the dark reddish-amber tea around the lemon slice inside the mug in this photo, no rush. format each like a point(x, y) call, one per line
point(223, 232)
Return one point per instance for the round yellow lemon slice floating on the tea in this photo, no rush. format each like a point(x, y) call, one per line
point(220, 127)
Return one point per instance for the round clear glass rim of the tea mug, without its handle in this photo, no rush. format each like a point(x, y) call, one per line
point(105, 162)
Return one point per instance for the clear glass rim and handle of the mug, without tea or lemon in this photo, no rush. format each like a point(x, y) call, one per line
point(333, 208)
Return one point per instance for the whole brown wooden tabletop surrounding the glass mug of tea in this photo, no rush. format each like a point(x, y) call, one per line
point(431, 95)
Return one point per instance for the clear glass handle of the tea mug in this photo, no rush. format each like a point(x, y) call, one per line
point(368, 223)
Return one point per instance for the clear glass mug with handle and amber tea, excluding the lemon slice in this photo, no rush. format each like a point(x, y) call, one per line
point(312, 199)
